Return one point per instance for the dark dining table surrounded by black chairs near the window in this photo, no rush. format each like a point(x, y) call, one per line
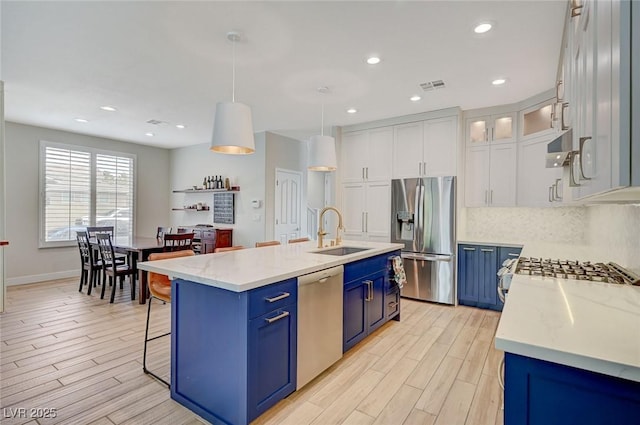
point(137, 249)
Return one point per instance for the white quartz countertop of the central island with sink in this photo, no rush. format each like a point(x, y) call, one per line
point(251, 268)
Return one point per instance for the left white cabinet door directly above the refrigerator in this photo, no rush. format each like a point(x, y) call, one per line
point(407, 150)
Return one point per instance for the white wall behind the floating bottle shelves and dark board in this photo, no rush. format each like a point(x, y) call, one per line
point(191, 164)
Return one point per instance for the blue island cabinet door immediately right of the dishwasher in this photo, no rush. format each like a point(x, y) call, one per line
point(354, 314)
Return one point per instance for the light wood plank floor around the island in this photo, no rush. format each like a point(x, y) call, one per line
point(61, 349)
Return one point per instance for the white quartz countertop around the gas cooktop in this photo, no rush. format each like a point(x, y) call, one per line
point(588, 325)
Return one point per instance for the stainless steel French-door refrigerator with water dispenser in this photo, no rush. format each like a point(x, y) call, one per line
point(423, 220)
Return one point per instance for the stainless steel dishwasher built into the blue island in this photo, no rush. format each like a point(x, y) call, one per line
point(319, 322)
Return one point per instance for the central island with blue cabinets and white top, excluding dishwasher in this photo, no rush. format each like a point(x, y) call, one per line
point(234, 320)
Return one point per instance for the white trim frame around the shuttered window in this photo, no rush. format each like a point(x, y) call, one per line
point(41, 186)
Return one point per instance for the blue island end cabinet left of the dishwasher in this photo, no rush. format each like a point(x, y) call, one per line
point(233, 353)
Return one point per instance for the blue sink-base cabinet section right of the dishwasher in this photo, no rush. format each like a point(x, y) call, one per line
point(370, 298)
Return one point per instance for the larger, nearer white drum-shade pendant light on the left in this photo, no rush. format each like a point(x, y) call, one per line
point(233, 130)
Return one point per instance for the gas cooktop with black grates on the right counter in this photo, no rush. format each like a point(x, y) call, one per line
point(579, 270)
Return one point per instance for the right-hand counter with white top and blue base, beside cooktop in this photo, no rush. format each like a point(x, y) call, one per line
point(572, 348)
